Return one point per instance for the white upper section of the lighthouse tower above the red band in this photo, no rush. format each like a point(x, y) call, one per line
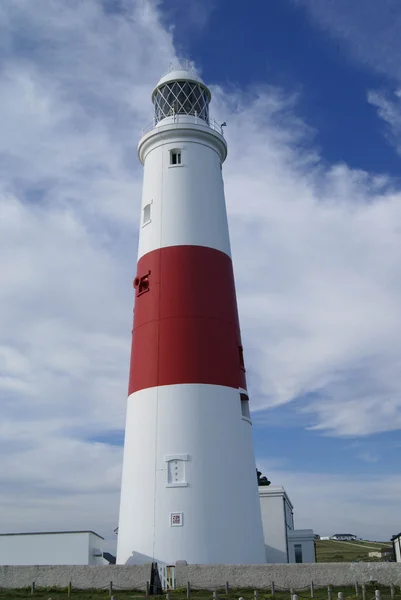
point(187, 200)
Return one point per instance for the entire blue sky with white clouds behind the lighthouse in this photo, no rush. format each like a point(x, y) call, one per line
point(311, 93)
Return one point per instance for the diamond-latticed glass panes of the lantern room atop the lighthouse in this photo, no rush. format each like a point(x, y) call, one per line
point(181, 98)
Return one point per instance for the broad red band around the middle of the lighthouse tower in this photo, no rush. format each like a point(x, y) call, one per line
point(186, 327)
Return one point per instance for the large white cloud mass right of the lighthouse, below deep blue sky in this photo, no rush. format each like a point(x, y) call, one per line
point(317, 255)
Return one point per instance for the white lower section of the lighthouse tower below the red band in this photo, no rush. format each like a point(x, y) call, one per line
point(221, 521)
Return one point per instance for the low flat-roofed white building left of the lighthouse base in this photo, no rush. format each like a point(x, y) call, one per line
point(52, 548)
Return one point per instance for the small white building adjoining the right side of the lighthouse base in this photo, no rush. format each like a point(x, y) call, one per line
point(283, 543)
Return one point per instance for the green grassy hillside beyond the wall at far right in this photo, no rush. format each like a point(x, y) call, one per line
point(335, 551)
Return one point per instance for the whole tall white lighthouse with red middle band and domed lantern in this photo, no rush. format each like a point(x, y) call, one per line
point(189, 486)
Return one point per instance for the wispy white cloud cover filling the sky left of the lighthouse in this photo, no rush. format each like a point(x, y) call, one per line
point(75, 92)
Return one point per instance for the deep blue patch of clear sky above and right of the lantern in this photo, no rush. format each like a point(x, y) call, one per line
point(283, 47)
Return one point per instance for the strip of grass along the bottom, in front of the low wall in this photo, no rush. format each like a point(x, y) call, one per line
point(303, 594)
